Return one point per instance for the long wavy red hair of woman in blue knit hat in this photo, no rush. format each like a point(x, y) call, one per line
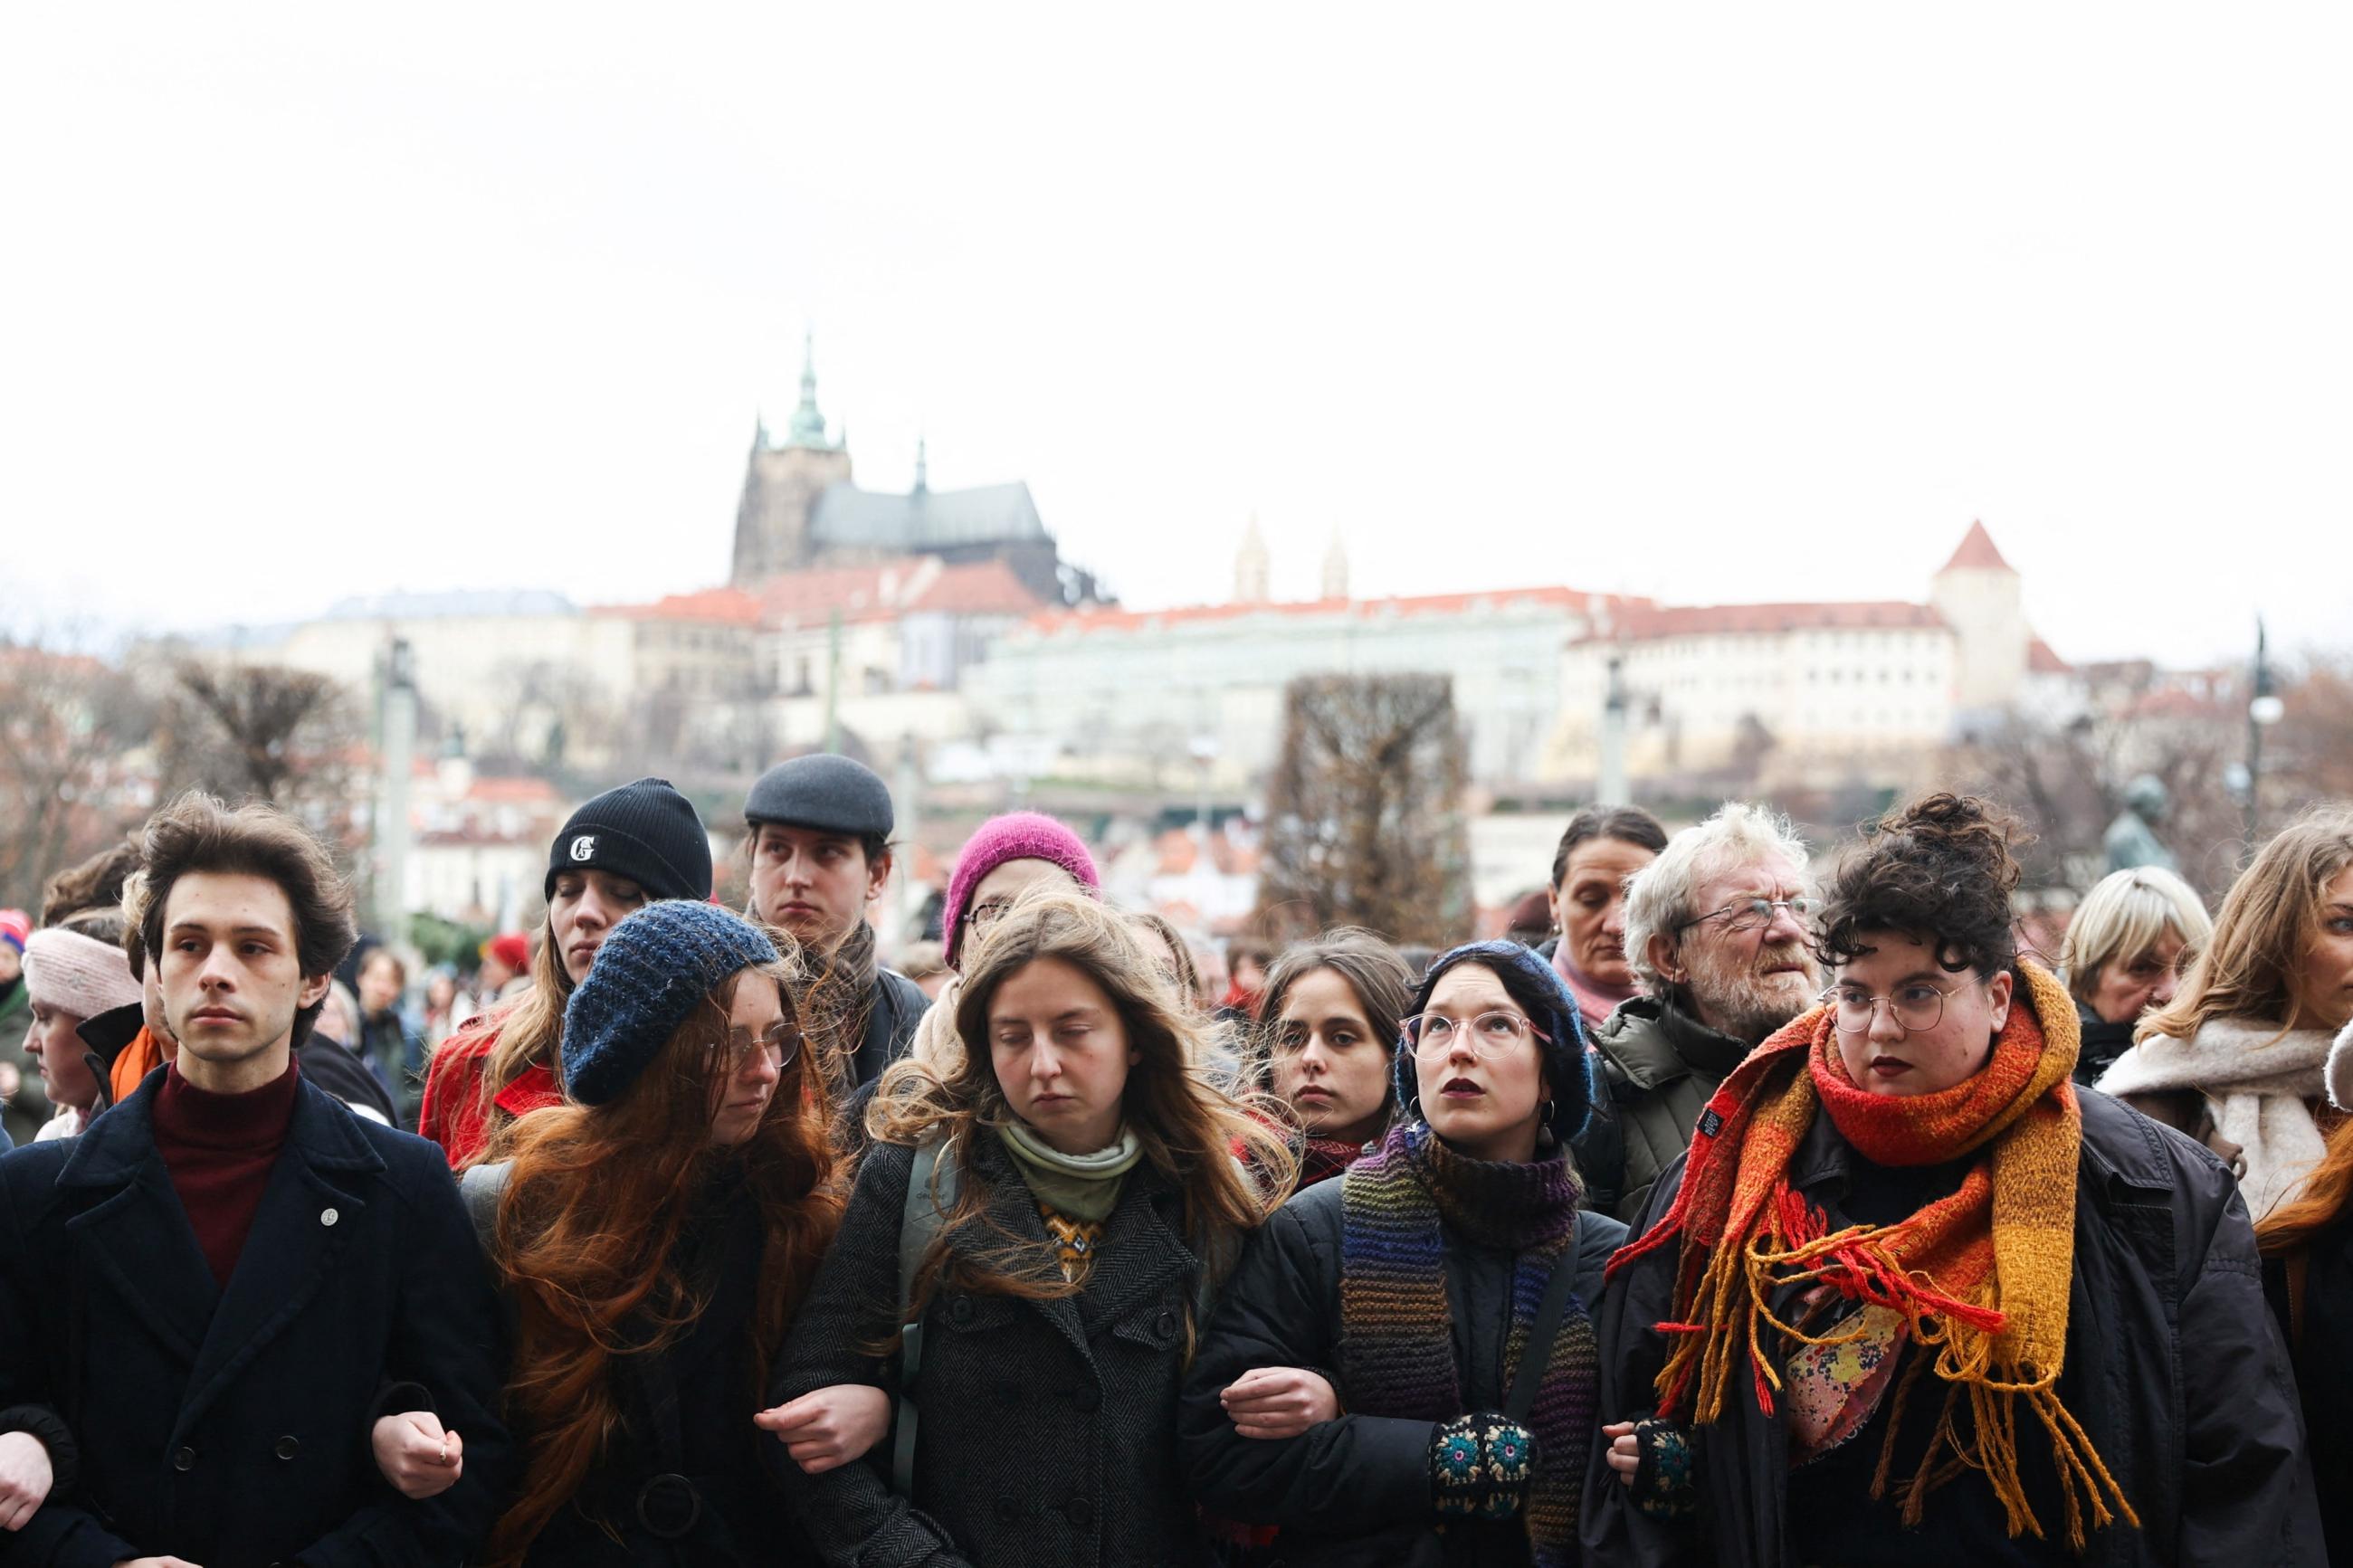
point(587, 1240)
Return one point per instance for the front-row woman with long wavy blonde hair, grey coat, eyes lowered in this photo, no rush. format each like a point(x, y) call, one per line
point(1044, 1221)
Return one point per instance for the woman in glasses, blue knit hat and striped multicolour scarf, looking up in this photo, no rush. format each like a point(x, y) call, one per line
point(1404, 1369)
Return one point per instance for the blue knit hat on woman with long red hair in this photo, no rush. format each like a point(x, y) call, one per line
point(653, 970)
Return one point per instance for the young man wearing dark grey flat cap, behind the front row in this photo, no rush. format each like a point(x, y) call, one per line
point(820, 857)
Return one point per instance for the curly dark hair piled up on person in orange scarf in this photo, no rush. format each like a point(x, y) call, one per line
point(1940, 871)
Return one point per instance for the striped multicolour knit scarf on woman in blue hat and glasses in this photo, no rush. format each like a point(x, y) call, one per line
point(1397, 1348)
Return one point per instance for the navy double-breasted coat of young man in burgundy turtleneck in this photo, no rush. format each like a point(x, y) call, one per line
point(232, 1426)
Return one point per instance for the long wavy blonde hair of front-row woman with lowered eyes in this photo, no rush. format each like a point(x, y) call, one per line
point(1232, 1167)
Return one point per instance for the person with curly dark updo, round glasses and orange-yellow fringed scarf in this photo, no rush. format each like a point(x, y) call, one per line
point(1917, 1299)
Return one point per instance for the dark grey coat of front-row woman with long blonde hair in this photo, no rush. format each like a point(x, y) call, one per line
point(1048, 1428)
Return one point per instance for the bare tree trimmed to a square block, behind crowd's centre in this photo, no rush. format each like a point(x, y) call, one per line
point(1366, 812)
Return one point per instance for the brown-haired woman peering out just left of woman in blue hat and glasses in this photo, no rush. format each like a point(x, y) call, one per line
point(1331, 1026)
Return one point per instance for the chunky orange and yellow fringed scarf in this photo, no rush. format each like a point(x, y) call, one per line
point(1980, 1278)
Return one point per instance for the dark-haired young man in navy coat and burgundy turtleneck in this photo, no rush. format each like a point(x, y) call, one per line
point(208, 1299)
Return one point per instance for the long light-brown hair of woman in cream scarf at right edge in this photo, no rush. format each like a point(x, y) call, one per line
point(2265, 930)
